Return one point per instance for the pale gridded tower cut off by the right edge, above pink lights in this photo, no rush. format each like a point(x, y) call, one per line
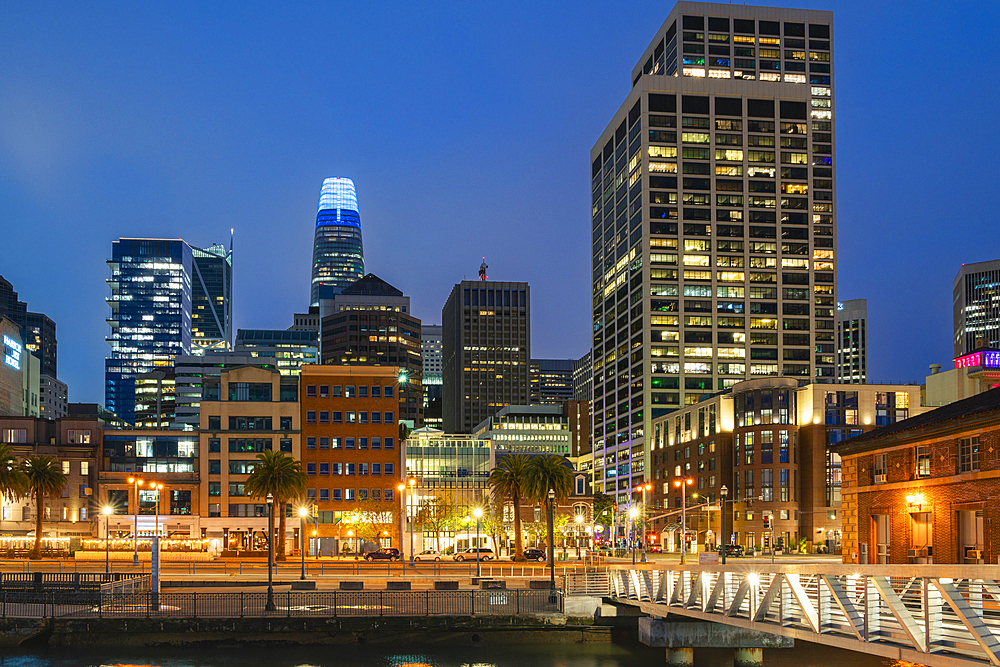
point(976, 293)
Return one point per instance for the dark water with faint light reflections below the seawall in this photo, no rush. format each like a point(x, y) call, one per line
point(457, 652)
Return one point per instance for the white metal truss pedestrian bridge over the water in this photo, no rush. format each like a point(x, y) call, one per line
point(937, 615)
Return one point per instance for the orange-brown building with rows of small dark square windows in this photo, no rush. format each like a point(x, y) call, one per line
point(349, 434)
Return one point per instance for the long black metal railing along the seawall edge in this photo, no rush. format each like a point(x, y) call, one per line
point(289, 604)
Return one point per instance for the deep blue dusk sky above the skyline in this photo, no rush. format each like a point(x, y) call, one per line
point(467, 129)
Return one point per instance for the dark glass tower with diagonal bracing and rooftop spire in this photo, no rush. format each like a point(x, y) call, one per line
point(212, 299)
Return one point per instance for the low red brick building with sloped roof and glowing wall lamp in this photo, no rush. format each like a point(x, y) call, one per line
point(924, 490)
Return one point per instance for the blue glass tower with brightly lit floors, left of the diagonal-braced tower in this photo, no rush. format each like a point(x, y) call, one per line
point(150, 314)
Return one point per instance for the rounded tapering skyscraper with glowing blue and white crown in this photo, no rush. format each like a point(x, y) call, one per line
point(338, 256)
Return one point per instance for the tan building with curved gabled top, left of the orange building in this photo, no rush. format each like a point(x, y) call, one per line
point(251, 410)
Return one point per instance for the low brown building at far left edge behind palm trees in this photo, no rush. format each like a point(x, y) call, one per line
point(75, 444)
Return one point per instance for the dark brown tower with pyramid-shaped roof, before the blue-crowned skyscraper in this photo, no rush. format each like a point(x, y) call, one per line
point(370, 327)
